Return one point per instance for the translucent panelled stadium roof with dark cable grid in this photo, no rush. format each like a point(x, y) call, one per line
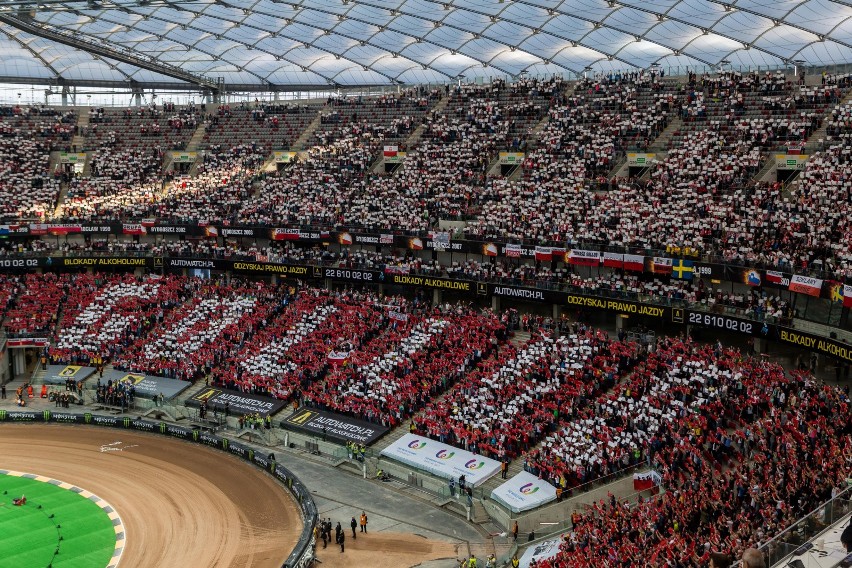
point(297, 44)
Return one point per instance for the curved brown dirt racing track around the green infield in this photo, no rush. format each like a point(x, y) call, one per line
point(181, 504)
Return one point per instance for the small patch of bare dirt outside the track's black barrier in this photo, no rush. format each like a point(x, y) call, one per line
point(386, 550)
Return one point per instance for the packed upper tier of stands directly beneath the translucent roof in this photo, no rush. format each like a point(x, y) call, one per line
point(706, 193)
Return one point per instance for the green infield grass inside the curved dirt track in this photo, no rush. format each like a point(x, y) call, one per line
point(57, 527)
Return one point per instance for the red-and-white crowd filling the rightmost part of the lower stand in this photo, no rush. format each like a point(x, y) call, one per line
point(744, 451)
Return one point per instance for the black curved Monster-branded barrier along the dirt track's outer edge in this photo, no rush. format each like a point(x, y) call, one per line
point(302, 554)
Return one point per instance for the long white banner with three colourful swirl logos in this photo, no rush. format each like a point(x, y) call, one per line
point(441, 460)
